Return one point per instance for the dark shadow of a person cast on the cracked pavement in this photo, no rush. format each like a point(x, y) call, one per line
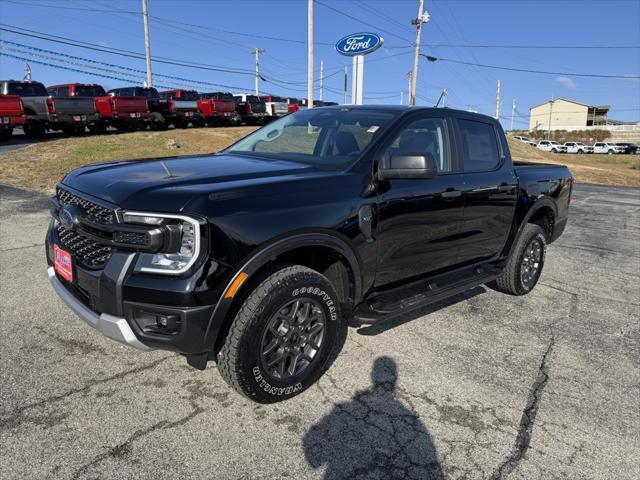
point(373, 436)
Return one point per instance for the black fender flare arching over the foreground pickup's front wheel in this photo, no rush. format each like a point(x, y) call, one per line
point(259, 259)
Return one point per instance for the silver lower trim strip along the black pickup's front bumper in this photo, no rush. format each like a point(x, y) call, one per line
point(117, 329)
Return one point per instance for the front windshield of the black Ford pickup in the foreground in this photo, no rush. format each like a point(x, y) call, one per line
point(330, 139)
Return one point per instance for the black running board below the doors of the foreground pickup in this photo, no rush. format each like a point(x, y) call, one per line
point(390, 305)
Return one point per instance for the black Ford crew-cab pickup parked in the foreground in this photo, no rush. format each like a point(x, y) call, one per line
point(257, 256)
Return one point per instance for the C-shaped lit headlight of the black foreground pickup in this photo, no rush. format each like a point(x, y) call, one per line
point(182, 256)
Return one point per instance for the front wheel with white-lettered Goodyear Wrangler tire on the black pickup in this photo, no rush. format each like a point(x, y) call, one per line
point(283, 335)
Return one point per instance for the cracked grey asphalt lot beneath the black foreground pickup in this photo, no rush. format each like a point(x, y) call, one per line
point(484, 386)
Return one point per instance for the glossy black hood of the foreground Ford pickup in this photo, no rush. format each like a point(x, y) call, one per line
point(168, 184)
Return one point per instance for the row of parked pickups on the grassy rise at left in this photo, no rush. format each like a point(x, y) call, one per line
point(72, 108)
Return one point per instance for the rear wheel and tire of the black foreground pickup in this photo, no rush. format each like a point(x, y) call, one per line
point(524, 266)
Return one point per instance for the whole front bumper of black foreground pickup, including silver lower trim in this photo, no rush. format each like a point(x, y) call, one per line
point(119, 302)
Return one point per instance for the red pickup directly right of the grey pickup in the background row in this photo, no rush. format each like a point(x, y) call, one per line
point(123, 113)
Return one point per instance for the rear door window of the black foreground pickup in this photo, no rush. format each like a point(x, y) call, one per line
point(479, 146)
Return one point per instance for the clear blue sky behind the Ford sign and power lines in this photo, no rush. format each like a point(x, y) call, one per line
point(453, 22)
